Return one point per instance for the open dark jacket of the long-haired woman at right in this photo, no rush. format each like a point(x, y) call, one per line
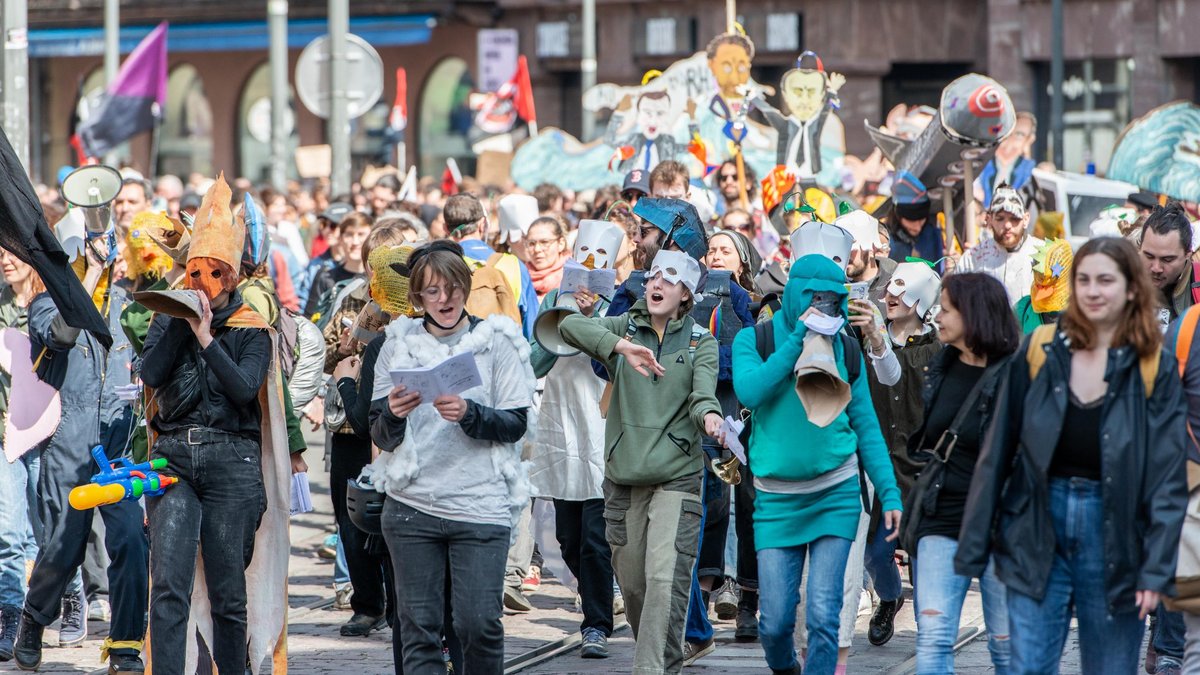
point(1144, 482)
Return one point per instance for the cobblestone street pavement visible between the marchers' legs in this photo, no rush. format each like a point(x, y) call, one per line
point(317, 649)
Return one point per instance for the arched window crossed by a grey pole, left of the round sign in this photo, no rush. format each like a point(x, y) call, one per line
point(255, 128)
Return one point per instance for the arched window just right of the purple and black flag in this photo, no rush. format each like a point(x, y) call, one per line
point(185, 138)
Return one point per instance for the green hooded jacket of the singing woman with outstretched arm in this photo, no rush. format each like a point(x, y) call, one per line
point(655, 426)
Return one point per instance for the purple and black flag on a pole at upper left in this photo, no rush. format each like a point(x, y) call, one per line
point(135, 101)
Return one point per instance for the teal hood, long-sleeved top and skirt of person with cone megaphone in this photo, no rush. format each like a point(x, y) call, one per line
point(785, 446)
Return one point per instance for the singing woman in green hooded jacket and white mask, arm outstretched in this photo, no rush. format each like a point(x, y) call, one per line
point(663, 399)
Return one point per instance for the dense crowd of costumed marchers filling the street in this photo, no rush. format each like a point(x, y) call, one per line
point(766, 415)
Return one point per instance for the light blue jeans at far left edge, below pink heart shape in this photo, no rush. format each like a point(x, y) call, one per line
point(19, 523)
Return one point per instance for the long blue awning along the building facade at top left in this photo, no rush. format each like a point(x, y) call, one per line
point(231, 37)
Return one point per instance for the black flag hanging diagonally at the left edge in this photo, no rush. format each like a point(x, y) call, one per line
point(26, 235)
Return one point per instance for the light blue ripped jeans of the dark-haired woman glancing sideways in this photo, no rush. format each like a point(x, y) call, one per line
point(940, 594)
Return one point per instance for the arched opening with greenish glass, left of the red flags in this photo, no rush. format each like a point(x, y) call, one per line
point(446, 118)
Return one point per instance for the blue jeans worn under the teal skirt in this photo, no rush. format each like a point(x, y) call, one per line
point(779, 592)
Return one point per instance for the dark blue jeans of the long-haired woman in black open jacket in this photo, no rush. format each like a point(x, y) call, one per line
point(1108, 643)
